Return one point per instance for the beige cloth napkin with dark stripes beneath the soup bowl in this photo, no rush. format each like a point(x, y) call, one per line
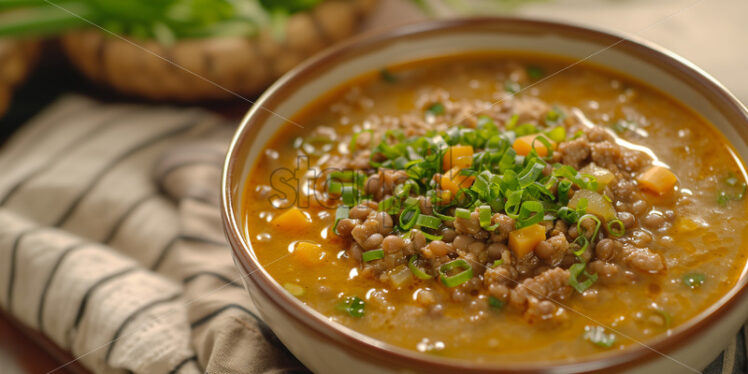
point(111, 243)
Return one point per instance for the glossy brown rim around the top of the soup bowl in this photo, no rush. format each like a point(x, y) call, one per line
point(371, 348)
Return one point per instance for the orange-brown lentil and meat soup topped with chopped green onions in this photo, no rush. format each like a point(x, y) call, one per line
point(568, 212)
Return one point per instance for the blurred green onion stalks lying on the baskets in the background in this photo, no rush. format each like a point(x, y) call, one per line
point(164, 20)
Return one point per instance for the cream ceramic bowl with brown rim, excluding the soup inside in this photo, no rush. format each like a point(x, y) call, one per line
point(328, 347)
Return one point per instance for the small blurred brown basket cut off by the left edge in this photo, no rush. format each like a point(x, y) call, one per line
point(17, 58)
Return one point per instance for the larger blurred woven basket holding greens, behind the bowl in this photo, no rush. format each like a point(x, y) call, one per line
point(208, 69)
